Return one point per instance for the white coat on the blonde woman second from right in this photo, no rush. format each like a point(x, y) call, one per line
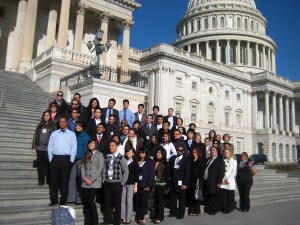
point(230, 174)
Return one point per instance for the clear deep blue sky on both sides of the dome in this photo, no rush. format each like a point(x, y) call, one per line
point(156, 20)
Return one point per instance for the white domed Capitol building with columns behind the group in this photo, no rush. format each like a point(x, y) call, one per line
point(220, 72)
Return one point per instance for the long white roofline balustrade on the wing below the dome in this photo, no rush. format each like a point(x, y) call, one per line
point(185, 55)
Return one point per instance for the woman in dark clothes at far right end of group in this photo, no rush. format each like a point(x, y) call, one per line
point(245, 172)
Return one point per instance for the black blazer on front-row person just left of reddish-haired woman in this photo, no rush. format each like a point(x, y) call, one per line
point(181, 174)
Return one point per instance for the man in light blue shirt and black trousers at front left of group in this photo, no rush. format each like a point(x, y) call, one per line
point(62, 149)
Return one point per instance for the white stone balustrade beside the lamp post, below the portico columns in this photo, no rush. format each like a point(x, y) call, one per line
point(64, 54)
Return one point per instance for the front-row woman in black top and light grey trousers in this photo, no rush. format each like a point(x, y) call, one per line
point(130, 187)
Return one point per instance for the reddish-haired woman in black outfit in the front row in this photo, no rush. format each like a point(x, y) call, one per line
point(197, 171)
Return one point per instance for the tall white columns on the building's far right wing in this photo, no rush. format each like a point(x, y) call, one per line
point(287, 108)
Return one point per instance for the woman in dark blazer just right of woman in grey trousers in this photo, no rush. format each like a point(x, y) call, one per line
point(146, 178)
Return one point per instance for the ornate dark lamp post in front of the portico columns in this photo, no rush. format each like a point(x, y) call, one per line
point(99, 48)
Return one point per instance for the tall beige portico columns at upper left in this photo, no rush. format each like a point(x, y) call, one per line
point(26, 25)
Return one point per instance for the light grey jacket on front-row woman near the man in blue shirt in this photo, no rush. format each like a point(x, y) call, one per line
point(93, 170)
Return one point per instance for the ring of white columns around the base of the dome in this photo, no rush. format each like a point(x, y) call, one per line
point(264, 56)
